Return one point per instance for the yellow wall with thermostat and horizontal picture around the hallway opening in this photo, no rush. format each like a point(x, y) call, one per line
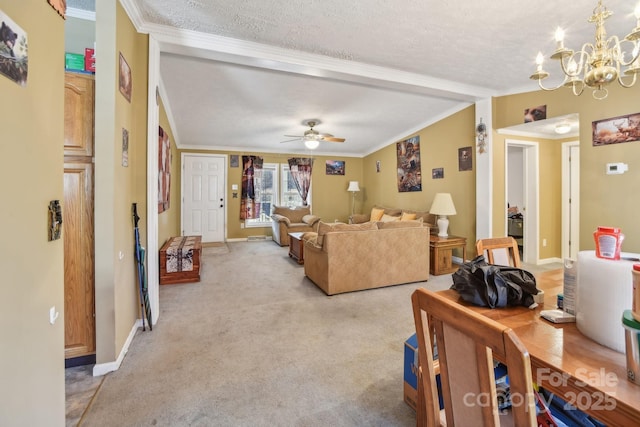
point(604, 199)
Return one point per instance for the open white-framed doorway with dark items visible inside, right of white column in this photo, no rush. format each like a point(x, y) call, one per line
point(521, 196)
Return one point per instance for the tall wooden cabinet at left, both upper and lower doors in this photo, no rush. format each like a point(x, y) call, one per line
point(77, 220)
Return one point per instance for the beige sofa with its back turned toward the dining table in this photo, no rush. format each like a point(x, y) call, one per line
point(350, 257)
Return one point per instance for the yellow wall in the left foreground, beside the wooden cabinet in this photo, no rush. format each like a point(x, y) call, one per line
point(31, 175)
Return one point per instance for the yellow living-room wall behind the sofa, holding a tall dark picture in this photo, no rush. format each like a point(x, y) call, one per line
point(439, 144)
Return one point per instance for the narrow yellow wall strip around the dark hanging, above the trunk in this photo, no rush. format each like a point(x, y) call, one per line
point(169, 220)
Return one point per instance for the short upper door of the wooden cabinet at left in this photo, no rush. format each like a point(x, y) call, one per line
point(78, 114)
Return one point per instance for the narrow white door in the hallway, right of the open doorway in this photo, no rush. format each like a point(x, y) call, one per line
point(570, 199)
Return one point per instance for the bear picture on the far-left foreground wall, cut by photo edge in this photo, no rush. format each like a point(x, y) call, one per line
point(14, 62)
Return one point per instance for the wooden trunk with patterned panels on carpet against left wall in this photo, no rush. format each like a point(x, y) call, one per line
point(167, 273)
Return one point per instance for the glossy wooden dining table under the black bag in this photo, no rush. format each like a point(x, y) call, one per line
point(575, 368)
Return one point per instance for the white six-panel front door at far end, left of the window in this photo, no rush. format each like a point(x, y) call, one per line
point(203, 196)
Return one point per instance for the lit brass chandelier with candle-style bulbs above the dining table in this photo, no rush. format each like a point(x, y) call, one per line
point(596, 65)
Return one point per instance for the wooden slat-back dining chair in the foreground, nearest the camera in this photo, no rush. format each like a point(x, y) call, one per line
point(467, 344)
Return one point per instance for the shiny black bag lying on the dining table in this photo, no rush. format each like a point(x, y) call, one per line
point(490, 285)
